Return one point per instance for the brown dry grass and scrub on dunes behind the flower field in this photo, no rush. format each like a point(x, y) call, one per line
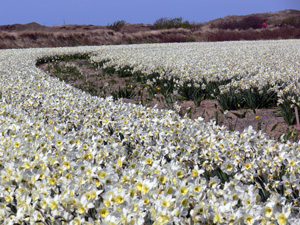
point(281, 25)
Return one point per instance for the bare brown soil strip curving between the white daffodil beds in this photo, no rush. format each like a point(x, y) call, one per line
point(100, 84)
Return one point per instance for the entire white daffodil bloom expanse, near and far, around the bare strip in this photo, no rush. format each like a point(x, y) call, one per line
point(67, 157)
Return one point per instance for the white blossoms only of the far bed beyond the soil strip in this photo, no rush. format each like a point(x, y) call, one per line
point(248, 64)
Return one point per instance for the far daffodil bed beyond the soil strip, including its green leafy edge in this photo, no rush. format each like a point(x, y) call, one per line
point(252, 74)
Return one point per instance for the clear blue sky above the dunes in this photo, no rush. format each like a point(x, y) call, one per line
point(98, 12)
